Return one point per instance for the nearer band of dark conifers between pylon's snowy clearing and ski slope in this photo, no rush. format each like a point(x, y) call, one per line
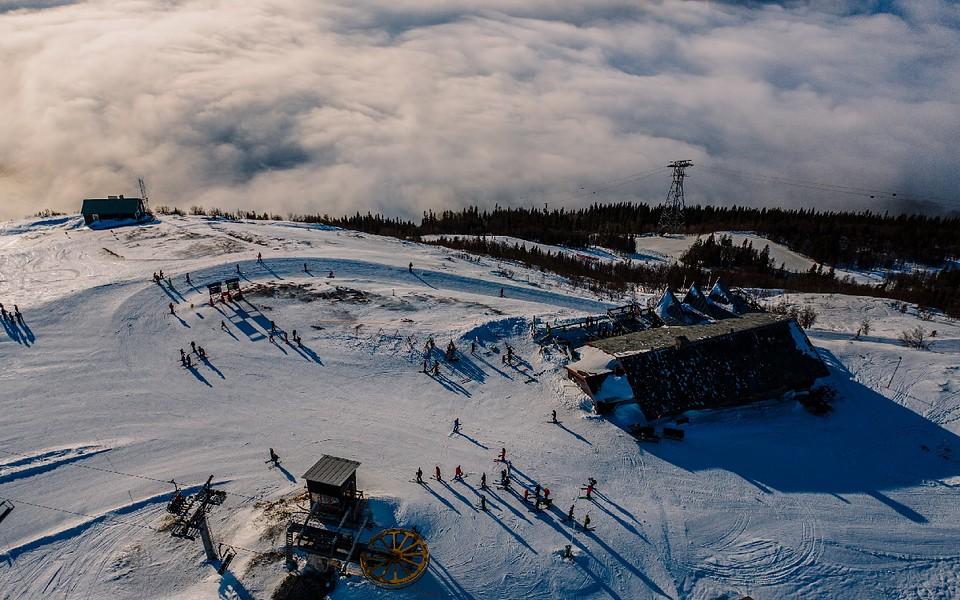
point(941, 290)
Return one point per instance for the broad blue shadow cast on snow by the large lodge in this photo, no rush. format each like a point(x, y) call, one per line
point(868, 443)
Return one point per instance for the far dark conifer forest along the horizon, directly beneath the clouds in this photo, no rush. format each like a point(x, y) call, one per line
point(863, 240)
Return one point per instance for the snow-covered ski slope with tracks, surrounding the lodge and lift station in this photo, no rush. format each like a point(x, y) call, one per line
point(98, 413)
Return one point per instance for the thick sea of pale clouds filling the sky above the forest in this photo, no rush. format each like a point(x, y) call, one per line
point(399, 106)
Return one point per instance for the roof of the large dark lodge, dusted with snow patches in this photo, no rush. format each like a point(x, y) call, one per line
point(730, 362)
